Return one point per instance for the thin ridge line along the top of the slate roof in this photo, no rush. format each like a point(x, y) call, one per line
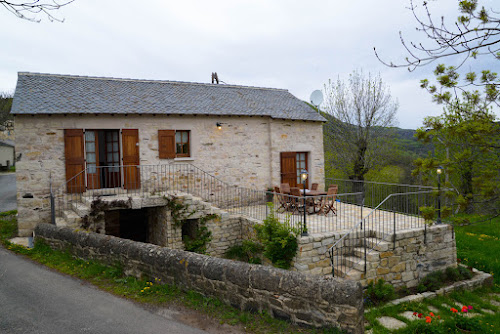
point(148, 80)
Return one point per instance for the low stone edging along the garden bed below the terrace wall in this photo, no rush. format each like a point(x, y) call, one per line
point(481, 278)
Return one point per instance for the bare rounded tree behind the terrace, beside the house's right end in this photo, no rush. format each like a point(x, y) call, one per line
point(359, 110)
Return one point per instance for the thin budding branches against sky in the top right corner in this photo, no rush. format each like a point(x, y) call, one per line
point(475, 32)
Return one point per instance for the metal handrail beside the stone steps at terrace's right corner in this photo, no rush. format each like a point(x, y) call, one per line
point(397, 212)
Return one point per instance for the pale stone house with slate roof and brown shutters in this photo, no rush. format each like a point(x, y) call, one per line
point(68, 127)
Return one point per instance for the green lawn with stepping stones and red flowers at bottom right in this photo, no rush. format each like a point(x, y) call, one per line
point(478, 245)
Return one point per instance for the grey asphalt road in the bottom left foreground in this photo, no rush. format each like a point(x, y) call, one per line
point(34, 299)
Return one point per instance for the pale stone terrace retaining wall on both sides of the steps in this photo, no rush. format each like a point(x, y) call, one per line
point(414, 256)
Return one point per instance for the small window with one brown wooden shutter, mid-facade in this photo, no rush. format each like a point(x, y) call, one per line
point(173, 144)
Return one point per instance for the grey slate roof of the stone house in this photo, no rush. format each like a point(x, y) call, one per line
point(38, 93)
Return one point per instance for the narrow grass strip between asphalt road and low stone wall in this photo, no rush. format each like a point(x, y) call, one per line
point(113, 280)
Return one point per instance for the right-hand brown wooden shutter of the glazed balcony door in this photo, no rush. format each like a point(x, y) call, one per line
point(130, 147)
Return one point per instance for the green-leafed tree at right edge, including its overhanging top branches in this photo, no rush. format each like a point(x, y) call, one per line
point(466, 136)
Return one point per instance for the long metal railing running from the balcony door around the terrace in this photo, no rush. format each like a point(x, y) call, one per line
point(149, 181)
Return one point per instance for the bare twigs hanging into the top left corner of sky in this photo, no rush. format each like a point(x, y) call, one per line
point(28, 10)
